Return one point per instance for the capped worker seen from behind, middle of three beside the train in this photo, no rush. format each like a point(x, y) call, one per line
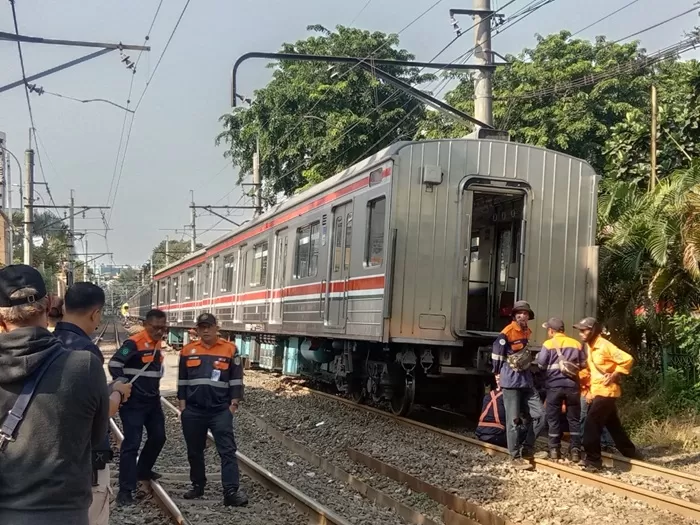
point(562, 358)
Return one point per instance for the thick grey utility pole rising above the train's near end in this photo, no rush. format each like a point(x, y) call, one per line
point(483, 89)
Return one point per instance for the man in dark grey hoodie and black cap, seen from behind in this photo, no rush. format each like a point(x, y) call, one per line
point(59, 410)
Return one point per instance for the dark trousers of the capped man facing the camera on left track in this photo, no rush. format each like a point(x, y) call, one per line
point(194, 427)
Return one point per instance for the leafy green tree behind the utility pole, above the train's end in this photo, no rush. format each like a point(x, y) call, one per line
point(575, 121)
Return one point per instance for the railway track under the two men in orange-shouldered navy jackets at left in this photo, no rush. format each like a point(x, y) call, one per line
point(272, 499)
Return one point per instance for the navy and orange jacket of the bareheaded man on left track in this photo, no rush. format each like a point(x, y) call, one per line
point(135, 353)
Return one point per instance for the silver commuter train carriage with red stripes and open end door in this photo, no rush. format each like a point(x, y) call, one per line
point(392, 278)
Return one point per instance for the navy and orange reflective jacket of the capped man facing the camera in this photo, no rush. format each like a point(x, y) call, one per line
point(210, 377)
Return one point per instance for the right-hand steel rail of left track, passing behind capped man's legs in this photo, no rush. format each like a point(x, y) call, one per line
point(317, 513)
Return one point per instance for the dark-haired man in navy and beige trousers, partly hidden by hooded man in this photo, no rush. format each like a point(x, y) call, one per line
point(83, 306)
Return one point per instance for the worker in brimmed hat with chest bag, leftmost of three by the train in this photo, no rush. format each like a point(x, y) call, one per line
point(512, 362)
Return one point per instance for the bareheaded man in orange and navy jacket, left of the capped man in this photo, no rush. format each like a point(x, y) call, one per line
point(140, 355)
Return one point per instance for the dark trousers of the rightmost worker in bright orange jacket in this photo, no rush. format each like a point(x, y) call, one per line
point(602, 413)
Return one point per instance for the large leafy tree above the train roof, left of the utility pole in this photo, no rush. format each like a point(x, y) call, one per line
point(313, 120)
